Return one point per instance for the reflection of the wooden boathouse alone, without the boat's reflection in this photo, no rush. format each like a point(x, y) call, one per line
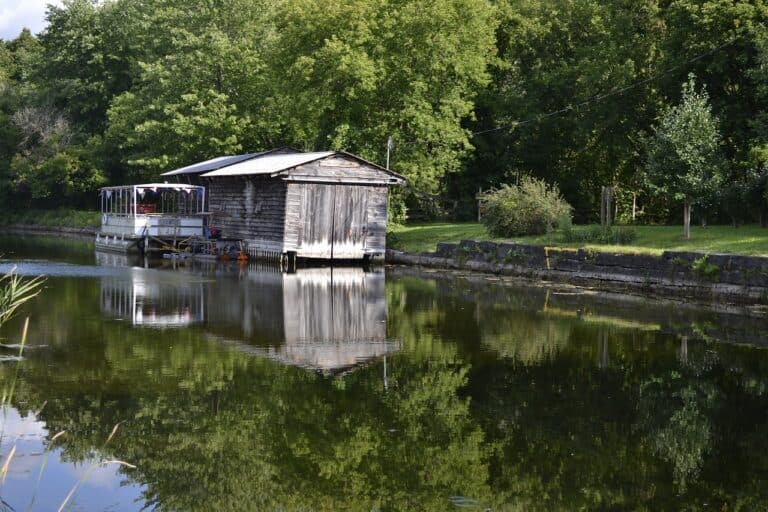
point(325, 319)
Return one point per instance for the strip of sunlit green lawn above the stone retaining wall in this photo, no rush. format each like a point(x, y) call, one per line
point(751, 239)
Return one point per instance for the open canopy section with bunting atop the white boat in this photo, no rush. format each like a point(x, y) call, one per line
point(153, 199)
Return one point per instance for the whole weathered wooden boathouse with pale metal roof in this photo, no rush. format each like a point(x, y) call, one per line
point(326, 205)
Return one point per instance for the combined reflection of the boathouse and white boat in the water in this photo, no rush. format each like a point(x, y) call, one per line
point(325, 319)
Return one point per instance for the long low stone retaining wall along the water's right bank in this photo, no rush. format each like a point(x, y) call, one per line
point(741, 279)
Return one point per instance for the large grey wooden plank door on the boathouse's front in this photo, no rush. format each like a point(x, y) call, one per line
point(335, 221)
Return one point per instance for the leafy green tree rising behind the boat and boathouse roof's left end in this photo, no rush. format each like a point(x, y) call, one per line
point(194, 99)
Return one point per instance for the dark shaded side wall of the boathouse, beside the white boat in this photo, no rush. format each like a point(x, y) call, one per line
point(250, 209)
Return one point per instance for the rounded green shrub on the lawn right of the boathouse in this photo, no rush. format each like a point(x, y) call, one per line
point(530, 208)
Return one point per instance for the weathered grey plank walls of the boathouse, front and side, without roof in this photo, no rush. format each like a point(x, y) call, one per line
point(276, 215)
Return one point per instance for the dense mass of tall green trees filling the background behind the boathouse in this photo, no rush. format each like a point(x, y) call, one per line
point(473, 93)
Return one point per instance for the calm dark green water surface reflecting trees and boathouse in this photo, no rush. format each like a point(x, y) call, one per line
point(247, 389)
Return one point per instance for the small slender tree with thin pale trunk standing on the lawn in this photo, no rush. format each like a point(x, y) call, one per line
point(684, 159)
